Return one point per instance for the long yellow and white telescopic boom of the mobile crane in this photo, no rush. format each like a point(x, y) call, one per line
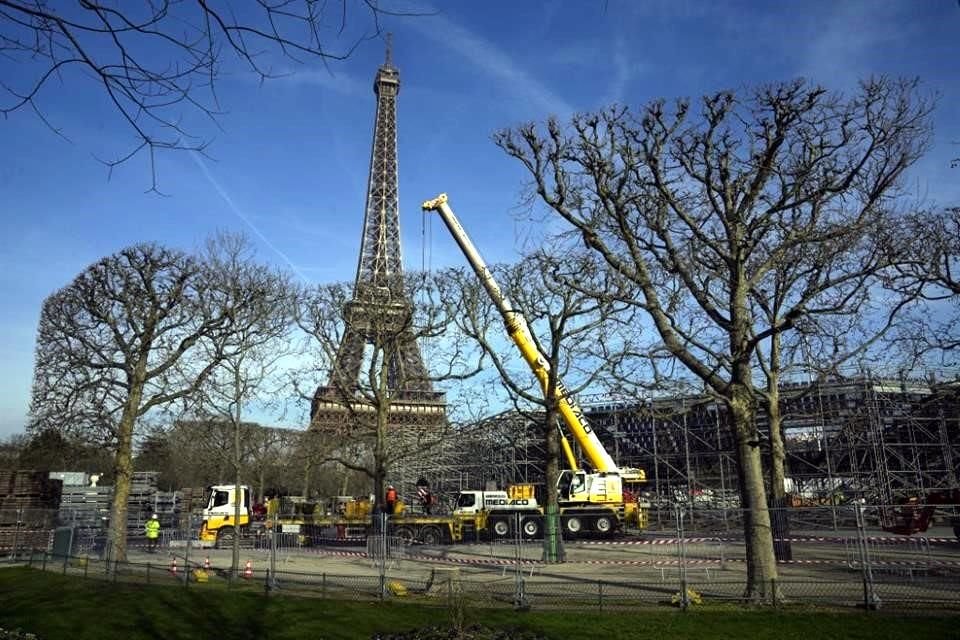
point(519, 331)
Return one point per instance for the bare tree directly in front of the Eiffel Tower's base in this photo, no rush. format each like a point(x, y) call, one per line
point(376, 429)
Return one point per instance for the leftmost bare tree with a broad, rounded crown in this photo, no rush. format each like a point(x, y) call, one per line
point(124, 339)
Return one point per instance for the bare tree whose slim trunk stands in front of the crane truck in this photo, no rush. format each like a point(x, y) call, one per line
point(566, 327)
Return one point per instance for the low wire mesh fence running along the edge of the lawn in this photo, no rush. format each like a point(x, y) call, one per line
point(447, 586)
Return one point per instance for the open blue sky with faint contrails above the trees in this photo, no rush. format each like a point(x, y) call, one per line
point(290, 157)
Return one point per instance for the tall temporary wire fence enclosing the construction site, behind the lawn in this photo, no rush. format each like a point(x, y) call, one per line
point(855, 565)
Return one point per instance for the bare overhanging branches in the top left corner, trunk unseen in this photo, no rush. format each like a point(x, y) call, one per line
point(157, 64)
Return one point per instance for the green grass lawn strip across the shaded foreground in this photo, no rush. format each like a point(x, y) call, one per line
point(55, 606)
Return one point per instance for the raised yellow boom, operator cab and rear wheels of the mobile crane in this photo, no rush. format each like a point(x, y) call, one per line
point(589, 502)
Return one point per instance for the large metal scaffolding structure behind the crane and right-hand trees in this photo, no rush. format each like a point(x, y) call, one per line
point(876, 439)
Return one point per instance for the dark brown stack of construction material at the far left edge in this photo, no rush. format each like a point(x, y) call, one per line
point(28, 508)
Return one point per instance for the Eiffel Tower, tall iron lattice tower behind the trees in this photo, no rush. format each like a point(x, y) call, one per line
point(380, 303)
